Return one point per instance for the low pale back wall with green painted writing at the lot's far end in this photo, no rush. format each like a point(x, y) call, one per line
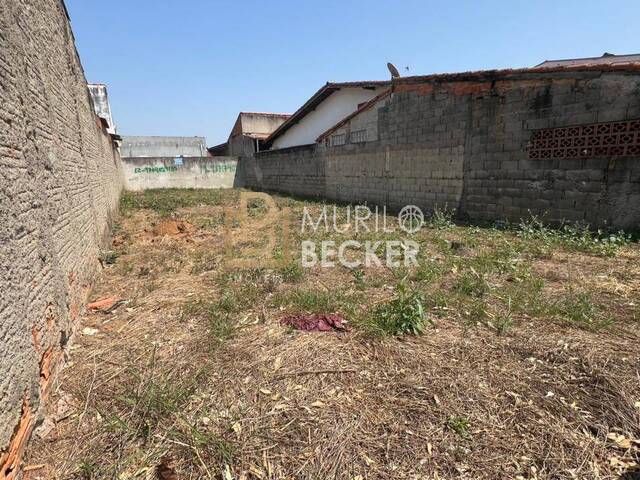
point(165, 172)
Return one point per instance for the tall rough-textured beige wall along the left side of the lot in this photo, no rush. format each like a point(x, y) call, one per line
point(60, 179)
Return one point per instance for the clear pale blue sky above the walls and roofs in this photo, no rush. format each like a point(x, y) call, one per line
point(188, 67)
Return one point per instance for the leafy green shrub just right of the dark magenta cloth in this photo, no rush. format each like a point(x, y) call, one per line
point(404, 315)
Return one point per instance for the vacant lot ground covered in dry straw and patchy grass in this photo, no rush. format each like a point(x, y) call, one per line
point(507, 353)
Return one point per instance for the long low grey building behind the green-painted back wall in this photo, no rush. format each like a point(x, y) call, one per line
point(163, 147)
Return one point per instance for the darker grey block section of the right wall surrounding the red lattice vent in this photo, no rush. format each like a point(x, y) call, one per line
point(503, 182)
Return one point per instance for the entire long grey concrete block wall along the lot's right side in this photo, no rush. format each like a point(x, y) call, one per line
point(466, 143)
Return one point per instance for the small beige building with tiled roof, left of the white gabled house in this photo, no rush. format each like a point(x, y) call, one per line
point(250, 131)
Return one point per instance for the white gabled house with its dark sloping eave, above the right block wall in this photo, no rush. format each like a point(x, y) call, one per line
point(329, 105)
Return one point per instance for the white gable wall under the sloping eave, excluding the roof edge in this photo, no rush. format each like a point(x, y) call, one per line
point(333, 109)
